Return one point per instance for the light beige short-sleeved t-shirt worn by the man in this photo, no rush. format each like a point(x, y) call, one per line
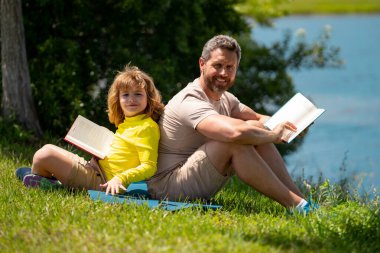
point(179, 138)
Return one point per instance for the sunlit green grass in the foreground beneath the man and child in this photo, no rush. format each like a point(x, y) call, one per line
point(36, 220)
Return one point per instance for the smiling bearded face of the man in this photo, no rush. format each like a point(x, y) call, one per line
point(219, 71)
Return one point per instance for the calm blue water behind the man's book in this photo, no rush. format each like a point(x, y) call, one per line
point(348, 133)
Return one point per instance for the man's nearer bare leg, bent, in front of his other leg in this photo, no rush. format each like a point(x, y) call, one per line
point(252, 169)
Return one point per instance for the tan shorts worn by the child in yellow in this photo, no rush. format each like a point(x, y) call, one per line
point(84, 174)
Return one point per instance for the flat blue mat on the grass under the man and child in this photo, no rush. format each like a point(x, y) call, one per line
point(137, 193)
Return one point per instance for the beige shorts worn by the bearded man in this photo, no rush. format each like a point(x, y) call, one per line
point(197, 178)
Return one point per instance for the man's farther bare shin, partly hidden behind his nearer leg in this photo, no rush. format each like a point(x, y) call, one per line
point(275, 161)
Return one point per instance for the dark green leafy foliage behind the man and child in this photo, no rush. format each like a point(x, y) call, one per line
point(75, 48)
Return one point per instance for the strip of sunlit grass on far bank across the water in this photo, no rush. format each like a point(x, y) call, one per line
point(331, 7)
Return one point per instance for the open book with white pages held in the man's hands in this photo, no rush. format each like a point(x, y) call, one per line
point(298, 110)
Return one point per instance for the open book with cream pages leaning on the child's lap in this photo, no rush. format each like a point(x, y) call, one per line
point(90, 137)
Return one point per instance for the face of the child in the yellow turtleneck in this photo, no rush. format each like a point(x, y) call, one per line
point(133, 101)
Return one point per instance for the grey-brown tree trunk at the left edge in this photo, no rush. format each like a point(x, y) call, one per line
point(17, 100)
